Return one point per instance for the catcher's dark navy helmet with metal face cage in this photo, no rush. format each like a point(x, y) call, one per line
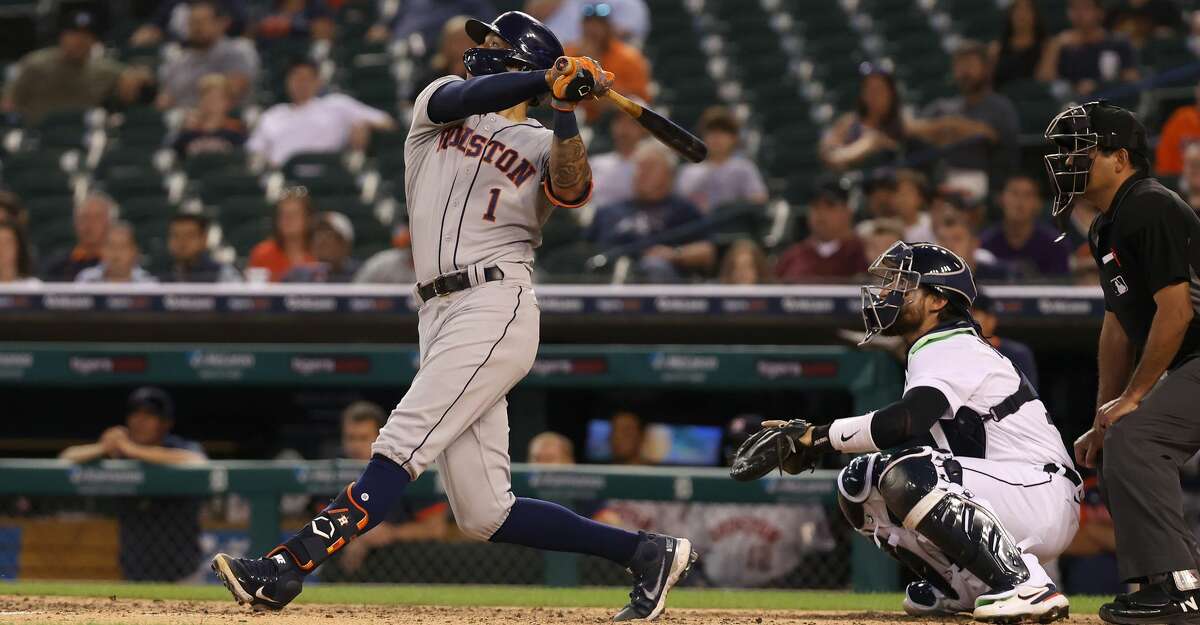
point(904, 268)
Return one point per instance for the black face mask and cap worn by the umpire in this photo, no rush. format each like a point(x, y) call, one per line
point(1076, 133)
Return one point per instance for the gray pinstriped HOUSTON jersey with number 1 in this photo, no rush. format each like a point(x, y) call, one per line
point(473, 189)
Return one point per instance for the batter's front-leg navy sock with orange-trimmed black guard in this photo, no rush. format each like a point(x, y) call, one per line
point(357, 509)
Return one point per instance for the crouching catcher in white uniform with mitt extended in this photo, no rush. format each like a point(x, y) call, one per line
point(982, 490)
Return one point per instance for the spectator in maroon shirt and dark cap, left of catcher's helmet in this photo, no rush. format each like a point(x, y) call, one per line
point(832, 250)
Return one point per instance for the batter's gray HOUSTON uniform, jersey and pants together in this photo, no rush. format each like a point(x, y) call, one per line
point(475, 201)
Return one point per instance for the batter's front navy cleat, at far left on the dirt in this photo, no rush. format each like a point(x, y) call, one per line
point(263, 584)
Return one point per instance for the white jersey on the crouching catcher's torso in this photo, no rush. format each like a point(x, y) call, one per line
point(973, 375)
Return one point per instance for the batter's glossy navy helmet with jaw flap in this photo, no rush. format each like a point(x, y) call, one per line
point(532, 46)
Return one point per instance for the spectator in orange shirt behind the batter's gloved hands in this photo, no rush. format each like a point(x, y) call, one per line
point(599, 40)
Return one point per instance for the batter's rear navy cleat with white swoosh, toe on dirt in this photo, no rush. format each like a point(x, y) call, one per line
point(659, 563)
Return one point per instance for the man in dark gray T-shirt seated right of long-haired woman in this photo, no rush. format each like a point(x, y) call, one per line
point(977, 129)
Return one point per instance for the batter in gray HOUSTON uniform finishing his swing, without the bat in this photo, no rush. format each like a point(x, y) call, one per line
point(481, 179)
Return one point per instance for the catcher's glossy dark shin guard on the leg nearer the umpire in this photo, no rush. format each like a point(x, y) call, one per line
point(969, 534)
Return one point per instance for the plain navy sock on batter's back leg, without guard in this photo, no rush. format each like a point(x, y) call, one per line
point(551, 527)
